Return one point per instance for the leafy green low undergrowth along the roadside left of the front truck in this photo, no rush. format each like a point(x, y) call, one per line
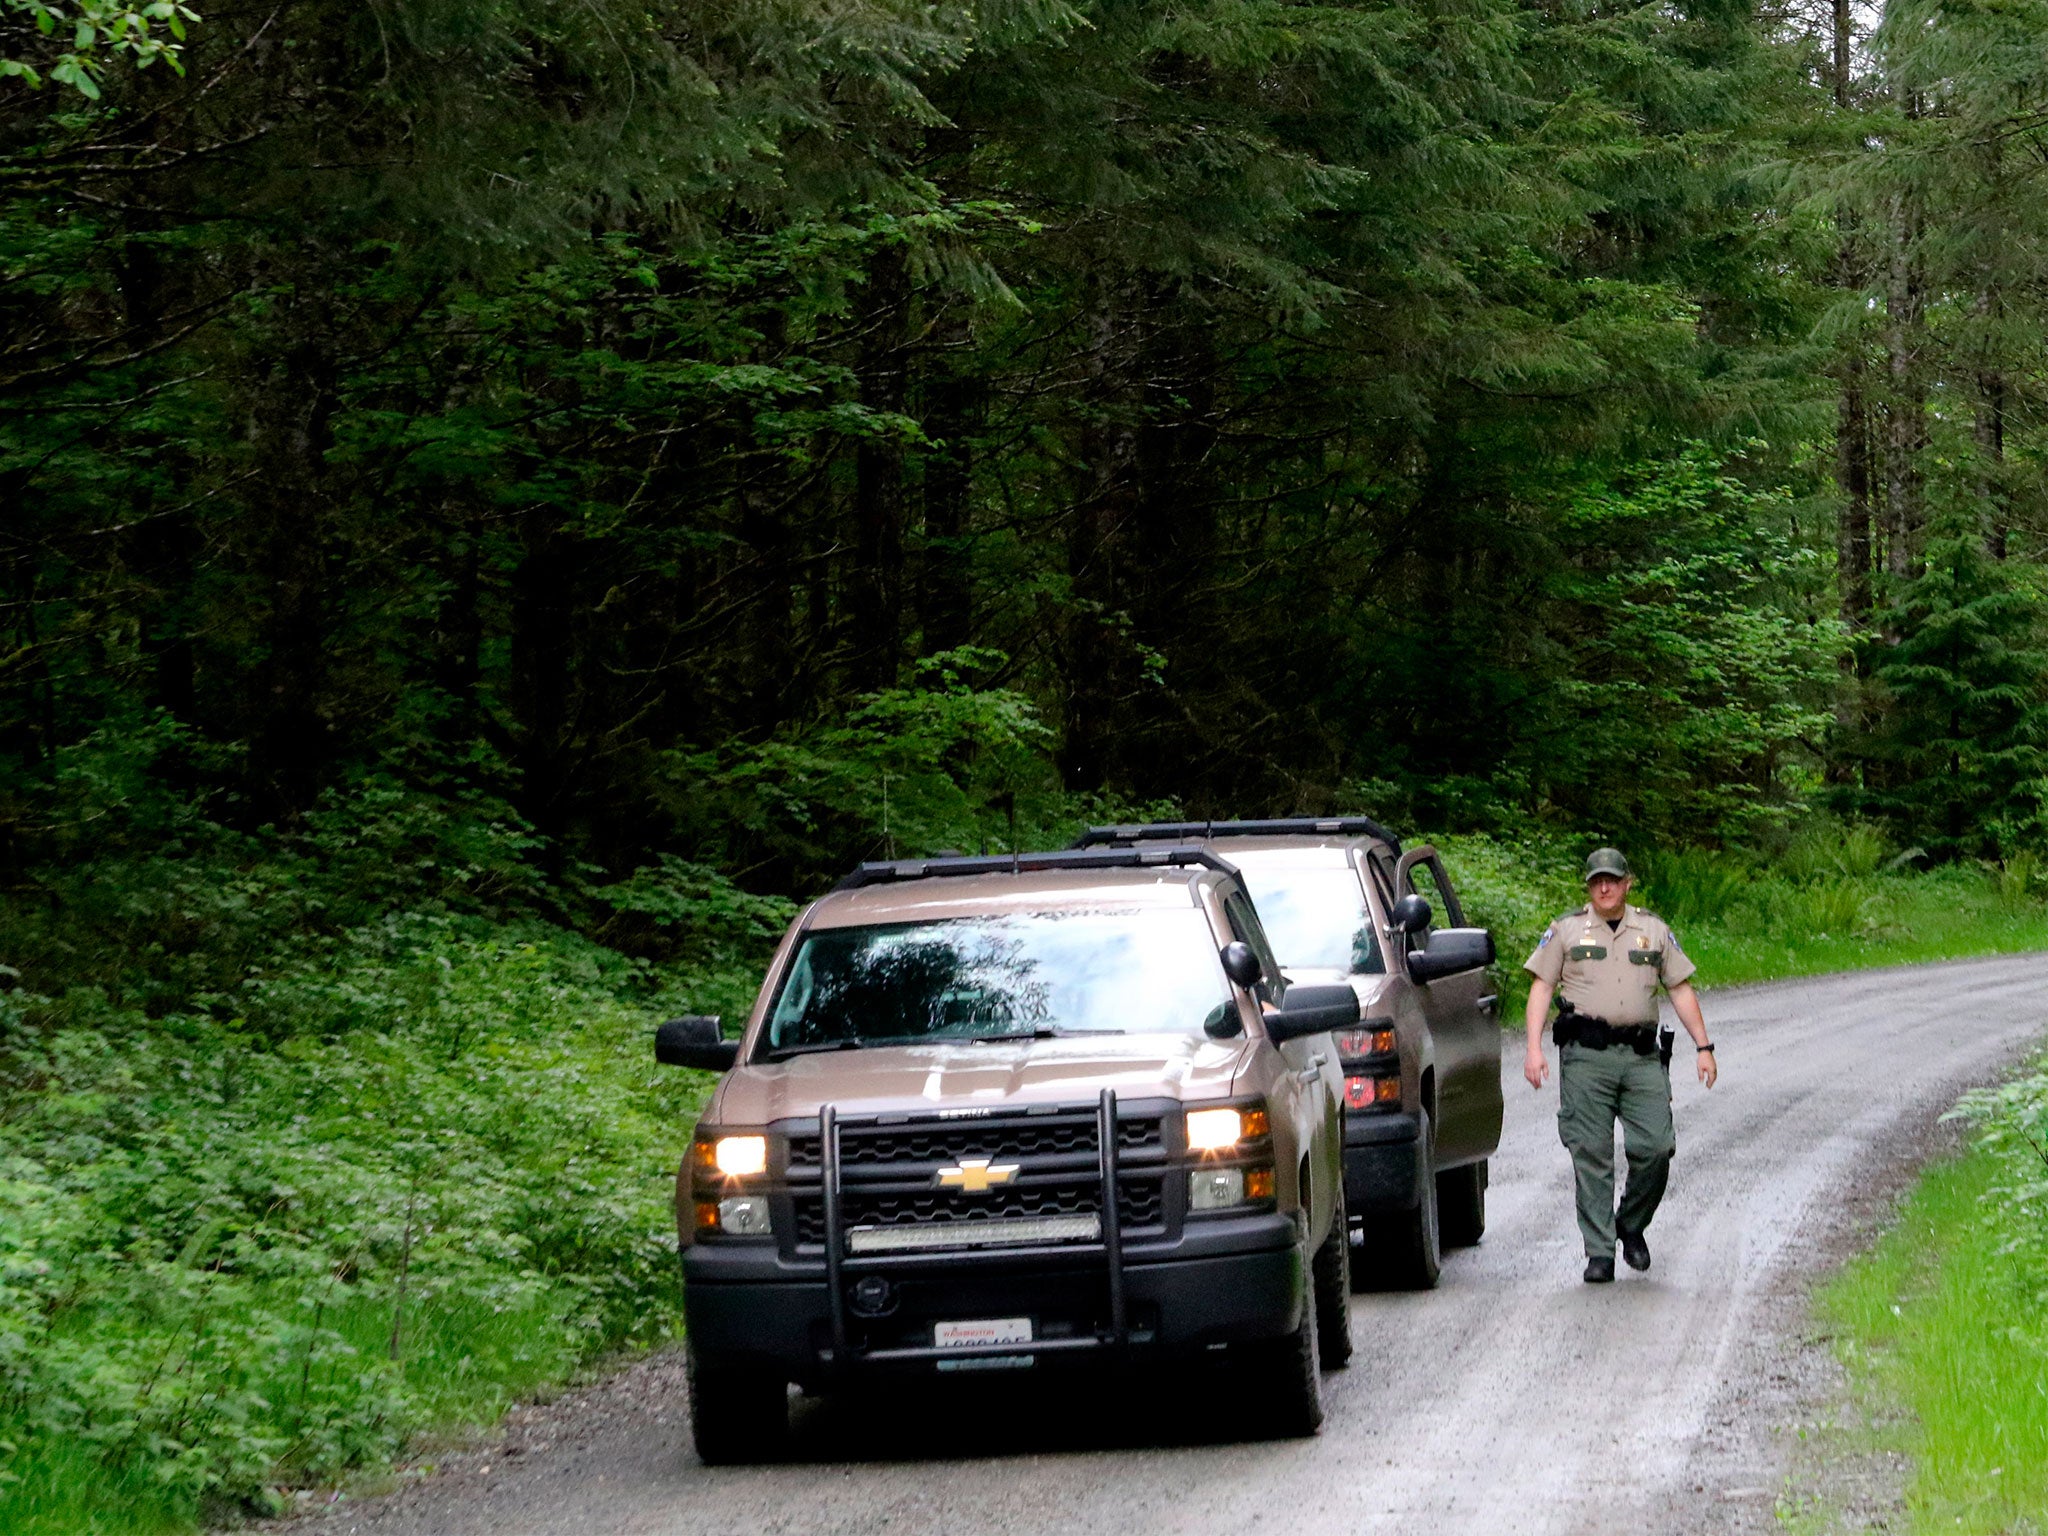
point(419, 1179)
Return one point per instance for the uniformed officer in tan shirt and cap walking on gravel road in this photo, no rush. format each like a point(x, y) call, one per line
point(1609, 959)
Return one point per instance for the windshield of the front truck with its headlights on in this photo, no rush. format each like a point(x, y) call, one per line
point(1000, 978)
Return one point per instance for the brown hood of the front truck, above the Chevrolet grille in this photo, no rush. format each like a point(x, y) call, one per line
point(923, 1078)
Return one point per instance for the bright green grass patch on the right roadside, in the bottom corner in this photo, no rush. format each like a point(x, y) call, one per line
point(1945, 1328)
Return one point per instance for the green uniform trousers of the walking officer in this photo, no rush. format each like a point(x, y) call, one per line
point(1596, 1089)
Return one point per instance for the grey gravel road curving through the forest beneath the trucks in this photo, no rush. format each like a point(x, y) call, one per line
point(1510, 1400)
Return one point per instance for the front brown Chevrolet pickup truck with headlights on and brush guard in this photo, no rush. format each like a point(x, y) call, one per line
point(1017, 1115)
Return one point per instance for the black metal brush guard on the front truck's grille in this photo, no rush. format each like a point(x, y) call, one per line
point(841, 1265)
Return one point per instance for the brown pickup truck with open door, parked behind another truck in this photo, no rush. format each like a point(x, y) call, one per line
point(1422, 1068)
